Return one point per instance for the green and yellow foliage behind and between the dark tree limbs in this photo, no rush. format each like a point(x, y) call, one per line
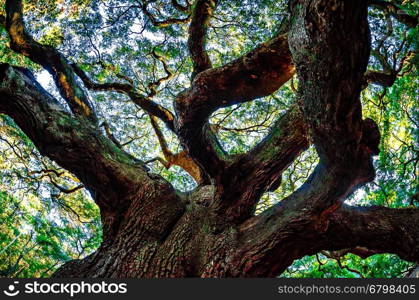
point(47, 217)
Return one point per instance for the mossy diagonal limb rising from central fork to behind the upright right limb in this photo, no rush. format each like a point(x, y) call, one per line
point(262, 167)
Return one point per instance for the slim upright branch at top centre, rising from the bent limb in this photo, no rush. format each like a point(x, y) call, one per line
point(198, 34)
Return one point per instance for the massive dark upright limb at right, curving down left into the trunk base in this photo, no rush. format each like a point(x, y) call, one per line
point(329, 93)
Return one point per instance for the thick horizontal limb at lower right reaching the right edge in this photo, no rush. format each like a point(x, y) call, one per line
point(377, 229)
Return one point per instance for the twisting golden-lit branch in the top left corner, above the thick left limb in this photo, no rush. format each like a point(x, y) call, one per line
point(48, 57)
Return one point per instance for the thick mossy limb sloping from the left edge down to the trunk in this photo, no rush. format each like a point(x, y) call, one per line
point(73, 144)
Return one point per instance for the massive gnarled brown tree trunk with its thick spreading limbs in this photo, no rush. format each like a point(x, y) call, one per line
point(151, 230)
